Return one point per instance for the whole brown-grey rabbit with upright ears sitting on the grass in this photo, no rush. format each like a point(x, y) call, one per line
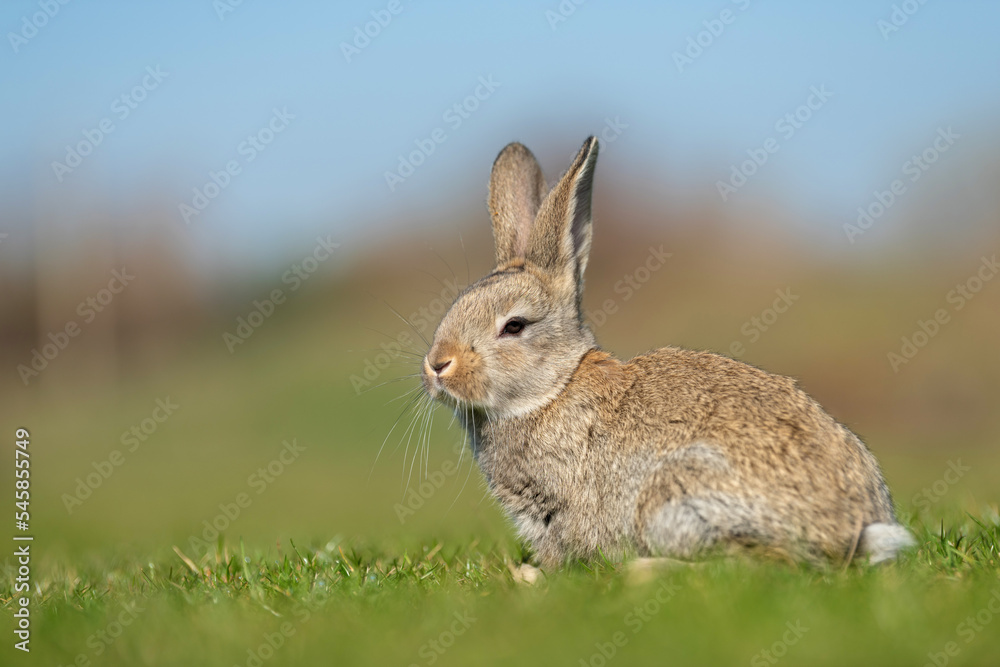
point(676, 453)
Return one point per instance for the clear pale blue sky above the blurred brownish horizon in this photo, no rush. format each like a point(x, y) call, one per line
point(557, 84)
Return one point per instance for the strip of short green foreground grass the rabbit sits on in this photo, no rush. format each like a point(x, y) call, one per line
point(349, 603)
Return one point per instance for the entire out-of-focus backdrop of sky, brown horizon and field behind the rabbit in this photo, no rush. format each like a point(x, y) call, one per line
point(211, 211)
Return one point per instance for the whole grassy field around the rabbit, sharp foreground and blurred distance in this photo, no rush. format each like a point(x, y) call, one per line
point(326, 556)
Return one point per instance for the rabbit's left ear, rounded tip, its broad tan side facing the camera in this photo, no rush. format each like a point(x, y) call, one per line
point(516, 191)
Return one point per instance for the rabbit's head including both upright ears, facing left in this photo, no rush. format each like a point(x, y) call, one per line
point(512, 340)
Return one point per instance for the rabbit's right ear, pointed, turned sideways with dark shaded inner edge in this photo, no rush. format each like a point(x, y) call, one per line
point(560, 238)
